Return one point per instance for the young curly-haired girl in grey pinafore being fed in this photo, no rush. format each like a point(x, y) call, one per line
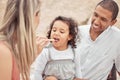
point(57, 58)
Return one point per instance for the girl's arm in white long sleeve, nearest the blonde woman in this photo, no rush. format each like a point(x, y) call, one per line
point(38, 66)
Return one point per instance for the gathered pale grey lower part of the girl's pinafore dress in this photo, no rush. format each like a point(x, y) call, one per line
point(61, 69)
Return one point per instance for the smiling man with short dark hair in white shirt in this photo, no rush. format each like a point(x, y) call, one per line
point(99, 47)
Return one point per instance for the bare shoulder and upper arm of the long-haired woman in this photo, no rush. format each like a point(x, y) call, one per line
point(5, 61)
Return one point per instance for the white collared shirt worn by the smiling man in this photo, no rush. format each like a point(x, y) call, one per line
point(95, 58)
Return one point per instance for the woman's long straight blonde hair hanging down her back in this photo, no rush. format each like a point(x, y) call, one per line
point(18, 28)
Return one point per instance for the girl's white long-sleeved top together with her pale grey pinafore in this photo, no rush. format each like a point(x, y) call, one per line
point(64, 68)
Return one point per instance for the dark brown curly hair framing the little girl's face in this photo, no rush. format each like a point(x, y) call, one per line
point(73, 29)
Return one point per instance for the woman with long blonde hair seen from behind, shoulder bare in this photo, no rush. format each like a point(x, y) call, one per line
point(17, 40)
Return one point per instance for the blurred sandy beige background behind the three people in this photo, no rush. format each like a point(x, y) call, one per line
point(80, 10)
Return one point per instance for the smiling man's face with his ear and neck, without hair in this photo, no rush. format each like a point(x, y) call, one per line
point(101, 20)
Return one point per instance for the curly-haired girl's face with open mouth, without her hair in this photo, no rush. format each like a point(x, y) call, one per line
point(60, 33)
